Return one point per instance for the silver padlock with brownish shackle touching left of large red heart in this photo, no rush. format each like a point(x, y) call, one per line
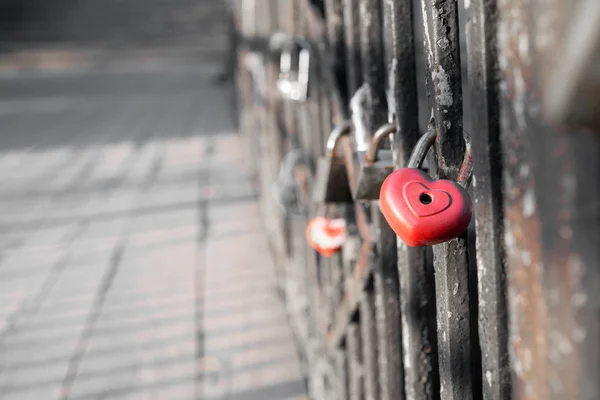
point(375, 165)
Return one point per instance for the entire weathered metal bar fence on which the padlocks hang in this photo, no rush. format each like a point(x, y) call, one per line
point(507, 310)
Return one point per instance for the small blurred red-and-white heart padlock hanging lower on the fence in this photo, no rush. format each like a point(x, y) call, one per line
point(326, 235)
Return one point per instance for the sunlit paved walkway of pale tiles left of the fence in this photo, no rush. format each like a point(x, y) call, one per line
point(133, 262)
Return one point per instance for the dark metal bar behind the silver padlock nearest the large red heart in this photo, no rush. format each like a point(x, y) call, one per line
point(388, 382)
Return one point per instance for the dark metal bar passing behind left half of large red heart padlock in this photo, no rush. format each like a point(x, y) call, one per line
point(417, 286)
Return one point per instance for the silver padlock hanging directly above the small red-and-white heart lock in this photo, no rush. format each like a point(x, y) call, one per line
point(331, 183)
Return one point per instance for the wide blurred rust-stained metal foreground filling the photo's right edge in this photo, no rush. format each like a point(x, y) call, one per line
point(554, 325)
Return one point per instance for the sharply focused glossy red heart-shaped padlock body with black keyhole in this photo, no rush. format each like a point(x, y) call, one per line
point(423, 211)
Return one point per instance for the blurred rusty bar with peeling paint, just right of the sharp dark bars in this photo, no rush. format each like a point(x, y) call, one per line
point(522, 230)
